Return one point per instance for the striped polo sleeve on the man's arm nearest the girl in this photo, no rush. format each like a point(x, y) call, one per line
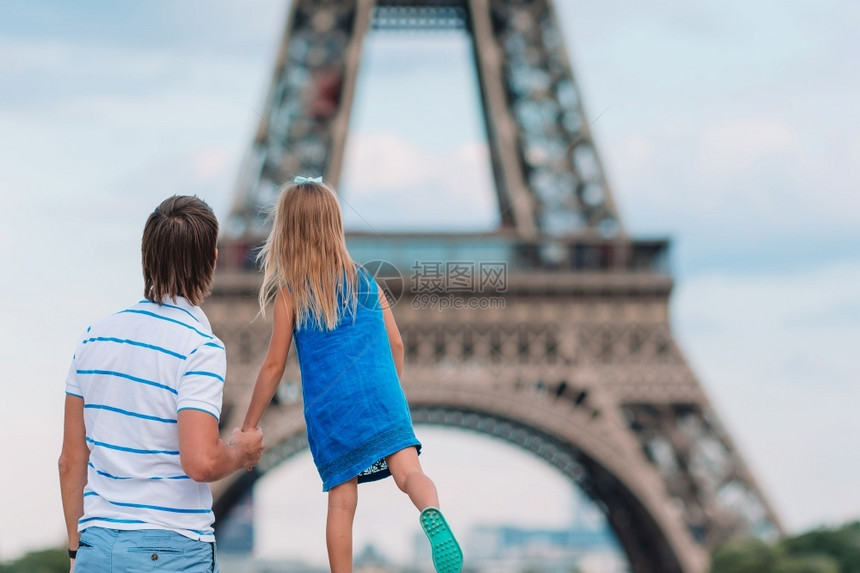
point(202, 384)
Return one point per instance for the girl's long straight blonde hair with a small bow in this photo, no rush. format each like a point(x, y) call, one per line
point(306, 253)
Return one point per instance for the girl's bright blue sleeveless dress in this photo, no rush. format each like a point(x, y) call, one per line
point(355, 410)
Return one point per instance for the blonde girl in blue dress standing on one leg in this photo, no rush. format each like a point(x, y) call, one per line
point(351, 358)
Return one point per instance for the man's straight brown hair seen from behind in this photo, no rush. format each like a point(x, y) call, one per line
point(178, 250)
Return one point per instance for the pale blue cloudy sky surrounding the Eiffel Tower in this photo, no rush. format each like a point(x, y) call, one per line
point(730, 127)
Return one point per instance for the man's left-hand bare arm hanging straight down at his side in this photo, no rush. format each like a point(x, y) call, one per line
point(73, 466)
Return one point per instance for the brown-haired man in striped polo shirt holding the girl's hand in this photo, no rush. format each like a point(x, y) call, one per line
point(143, 401)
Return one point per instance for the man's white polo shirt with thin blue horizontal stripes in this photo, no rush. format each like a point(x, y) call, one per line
point(135, 370)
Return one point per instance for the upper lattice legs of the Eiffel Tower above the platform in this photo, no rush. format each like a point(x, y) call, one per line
point(548, 175)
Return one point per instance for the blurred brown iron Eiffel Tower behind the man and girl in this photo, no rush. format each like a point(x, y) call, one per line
point(577, 364)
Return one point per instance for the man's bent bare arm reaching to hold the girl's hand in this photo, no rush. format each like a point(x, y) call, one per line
point(205, 457)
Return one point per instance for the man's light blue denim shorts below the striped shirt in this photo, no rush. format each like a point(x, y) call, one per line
point(104, 550)
